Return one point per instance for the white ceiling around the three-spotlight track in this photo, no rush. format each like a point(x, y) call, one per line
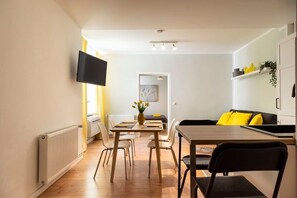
point(199, 26)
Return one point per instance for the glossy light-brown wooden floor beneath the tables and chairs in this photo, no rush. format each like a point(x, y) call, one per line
point(78, 182)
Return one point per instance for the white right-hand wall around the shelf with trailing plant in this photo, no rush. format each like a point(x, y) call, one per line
point(255, 92)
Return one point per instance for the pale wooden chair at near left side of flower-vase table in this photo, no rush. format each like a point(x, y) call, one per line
point(109, 146)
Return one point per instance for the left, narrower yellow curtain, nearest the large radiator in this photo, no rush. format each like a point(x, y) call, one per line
point(84, 103)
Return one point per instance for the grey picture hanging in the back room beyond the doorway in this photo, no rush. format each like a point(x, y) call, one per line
point(148, 93)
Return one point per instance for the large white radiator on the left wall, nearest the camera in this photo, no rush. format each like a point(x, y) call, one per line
point(58, 151)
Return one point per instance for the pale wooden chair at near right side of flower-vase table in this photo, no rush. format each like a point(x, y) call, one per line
point(164, 145)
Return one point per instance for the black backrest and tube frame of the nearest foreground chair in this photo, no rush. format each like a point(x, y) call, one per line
point(257, 156)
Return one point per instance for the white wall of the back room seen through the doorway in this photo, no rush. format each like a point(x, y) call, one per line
point(160, 106)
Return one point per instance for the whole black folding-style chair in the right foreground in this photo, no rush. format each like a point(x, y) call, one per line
point(234, 157)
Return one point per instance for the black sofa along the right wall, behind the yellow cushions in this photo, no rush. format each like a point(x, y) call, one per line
point(268, 118)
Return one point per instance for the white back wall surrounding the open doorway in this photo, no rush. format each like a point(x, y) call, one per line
point(200, 84)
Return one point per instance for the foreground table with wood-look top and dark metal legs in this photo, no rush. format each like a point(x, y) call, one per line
point(210, 135)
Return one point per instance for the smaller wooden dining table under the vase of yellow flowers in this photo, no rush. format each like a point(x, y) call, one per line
point(149, 126)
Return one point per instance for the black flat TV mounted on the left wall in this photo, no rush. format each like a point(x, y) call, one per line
point(91, 69)
